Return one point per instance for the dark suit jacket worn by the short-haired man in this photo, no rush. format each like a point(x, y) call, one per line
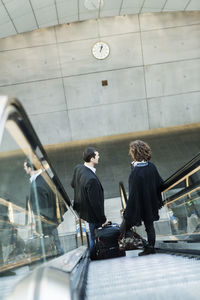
point(88, 195)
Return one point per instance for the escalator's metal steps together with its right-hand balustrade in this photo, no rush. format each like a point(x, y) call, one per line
point(173, 272)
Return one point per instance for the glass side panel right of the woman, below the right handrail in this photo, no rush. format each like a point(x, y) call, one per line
point(183, 208)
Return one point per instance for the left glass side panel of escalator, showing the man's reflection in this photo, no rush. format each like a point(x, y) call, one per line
point(32, 213)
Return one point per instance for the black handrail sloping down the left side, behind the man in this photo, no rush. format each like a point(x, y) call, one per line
point(11, 106)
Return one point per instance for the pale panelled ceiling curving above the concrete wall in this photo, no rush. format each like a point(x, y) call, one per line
point(18, 16)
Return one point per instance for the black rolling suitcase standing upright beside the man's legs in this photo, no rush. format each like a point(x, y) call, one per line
point(106, 242)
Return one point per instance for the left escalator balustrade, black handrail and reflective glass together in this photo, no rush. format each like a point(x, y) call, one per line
point(37, 222)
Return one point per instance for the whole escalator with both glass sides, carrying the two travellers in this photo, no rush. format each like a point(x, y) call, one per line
point(31, 263)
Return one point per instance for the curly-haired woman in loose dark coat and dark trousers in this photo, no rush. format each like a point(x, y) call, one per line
point(144, 193)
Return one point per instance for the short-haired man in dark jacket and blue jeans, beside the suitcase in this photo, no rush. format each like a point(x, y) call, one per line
point(88, 194)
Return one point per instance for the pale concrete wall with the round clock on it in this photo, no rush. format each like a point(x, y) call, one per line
point(153, 74)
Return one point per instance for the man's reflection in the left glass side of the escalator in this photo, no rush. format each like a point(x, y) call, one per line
point(43, 203)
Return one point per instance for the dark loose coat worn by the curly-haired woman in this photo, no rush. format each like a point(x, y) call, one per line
point(144, 195)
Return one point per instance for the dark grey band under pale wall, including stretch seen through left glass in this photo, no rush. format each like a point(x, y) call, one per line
point(171, 149)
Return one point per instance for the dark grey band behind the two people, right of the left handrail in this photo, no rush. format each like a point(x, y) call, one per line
point(170, 151)
